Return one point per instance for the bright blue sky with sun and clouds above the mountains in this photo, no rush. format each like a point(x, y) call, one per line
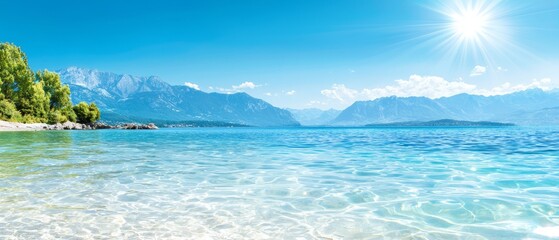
point(300, 54)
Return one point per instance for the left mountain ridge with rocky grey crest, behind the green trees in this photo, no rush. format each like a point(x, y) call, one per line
point(124, 96)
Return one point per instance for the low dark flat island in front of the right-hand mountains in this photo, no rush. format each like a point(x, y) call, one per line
point(442, 123)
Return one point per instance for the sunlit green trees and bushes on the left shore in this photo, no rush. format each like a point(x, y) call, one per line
point(26, 96)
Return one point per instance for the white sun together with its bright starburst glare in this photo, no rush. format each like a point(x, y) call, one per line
point(470, 31)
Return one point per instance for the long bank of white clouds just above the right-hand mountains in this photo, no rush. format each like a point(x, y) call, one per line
point(431, 87)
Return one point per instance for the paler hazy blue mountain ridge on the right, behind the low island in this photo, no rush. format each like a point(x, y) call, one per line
point(519, 108)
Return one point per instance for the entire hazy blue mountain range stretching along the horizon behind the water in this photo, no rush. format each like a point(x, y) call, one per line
point(124, 98)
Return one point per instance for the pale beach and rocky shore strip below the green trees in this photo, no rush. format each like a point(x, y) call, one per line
point(14, 126)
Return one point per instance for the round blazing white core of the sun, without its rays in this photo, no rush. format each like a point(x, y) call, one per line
point(469, 24)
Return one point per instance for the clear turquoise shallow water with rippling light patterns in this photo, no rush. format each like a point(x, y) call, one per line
point(247, 183)
